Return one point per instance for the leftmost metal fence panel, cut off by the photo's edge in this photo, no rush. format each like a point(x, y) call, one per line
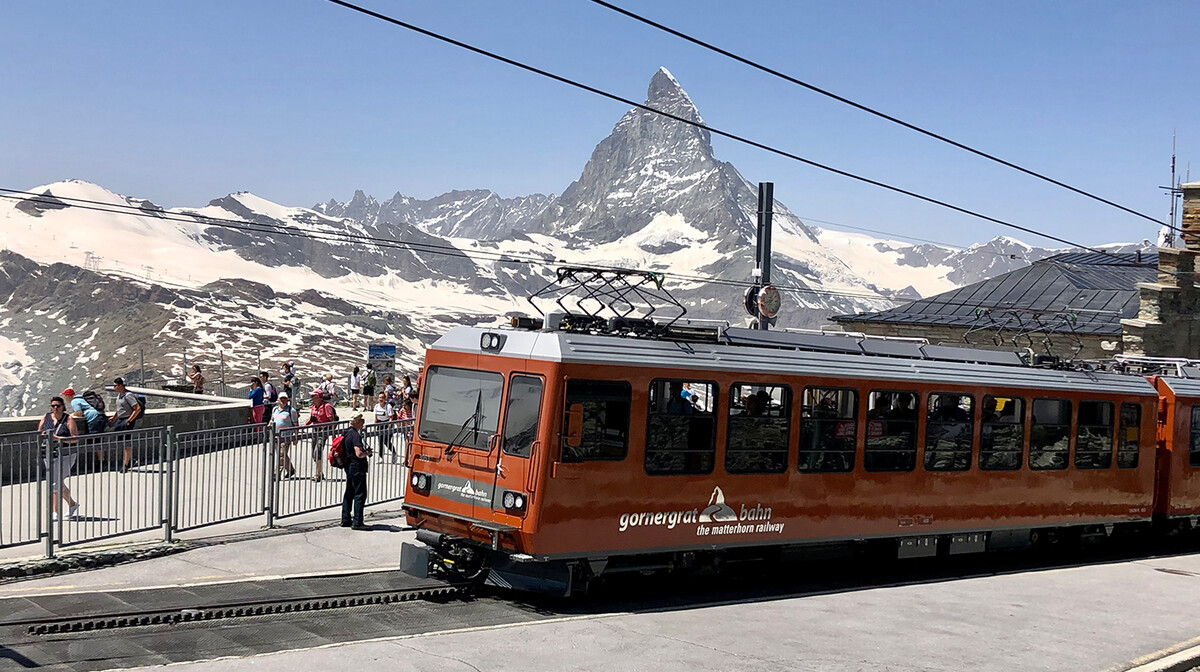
point(22, 479)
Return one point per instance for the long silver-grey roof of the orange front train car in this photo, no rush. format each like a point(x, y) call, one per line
point(799, 355)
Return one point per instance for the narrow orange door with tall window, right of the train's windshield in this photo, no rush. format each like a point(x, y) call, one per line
point(518, 451)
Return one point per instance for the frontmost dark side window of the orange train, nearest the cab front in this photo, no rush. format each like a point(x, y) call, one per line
point(605, 434)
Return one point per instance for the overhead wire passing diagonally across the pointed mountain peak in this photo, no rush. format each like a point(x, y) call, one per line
point(706, 128)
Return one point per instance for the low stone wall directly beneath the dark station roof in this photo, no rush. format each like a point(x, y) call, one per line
point(1064, 346)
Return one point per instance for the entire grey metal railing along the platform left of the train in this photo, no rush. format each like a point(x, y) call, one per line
point(70, 491)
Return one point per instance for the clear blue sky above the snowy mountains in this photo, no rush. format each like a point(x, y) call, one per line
point(299, 101)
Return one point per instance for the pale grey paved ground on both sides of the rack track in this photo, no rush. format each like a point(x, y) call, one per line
point(1096, 617)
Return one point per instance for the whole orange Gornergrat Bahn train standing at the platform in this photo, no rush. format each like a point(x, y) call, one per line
point(548, 457)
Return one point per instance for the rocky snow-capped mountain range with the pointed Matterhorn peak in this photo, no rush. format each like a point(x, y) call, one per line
point(92, 278)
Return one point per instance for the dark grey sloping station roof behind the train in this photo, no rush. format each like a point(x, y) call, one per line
point(1093, 290)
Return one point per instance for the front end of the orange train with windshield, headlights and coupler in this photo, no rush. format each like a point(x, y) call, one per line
point(477, 459)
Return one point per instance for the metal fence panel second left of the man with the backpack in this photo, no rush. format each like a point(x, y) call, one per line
point(219, 476)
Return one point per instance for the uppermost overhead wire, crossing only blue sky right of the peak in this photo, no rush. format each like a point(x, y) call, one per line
point(872, 111)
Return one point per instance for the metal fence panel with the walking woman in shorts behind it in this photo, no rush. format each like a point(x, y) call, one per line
point(113, 500)
